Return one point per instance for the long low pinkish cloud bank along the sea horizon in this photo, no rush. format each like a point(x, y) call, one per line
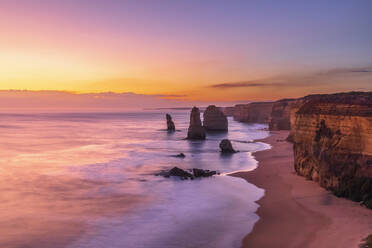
point(63, 100)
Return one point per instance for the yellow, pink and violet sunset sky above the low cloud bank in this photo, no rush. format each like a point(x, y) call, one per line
point(185, 50)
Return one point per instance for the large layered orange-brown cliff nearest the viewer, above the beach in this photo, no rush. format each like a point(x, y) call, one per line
point(332, 142)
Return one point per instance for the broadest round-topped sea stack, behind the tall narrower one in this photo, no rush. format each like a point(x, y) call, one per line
point(214, 119)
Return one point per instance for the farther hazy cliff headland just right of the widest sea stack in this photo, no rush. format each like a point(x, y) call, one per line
point(255, 112)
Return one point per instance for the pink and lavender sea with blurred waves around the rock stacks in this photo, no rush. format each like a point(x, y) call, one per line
point(87, 180)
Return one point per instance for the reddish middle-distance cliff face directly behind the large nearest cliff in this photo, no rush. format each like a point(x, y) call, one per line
point(280, 114)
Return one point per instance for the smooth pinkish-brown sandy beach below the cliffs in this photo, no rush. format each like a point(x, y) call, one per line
point(296, 212)
